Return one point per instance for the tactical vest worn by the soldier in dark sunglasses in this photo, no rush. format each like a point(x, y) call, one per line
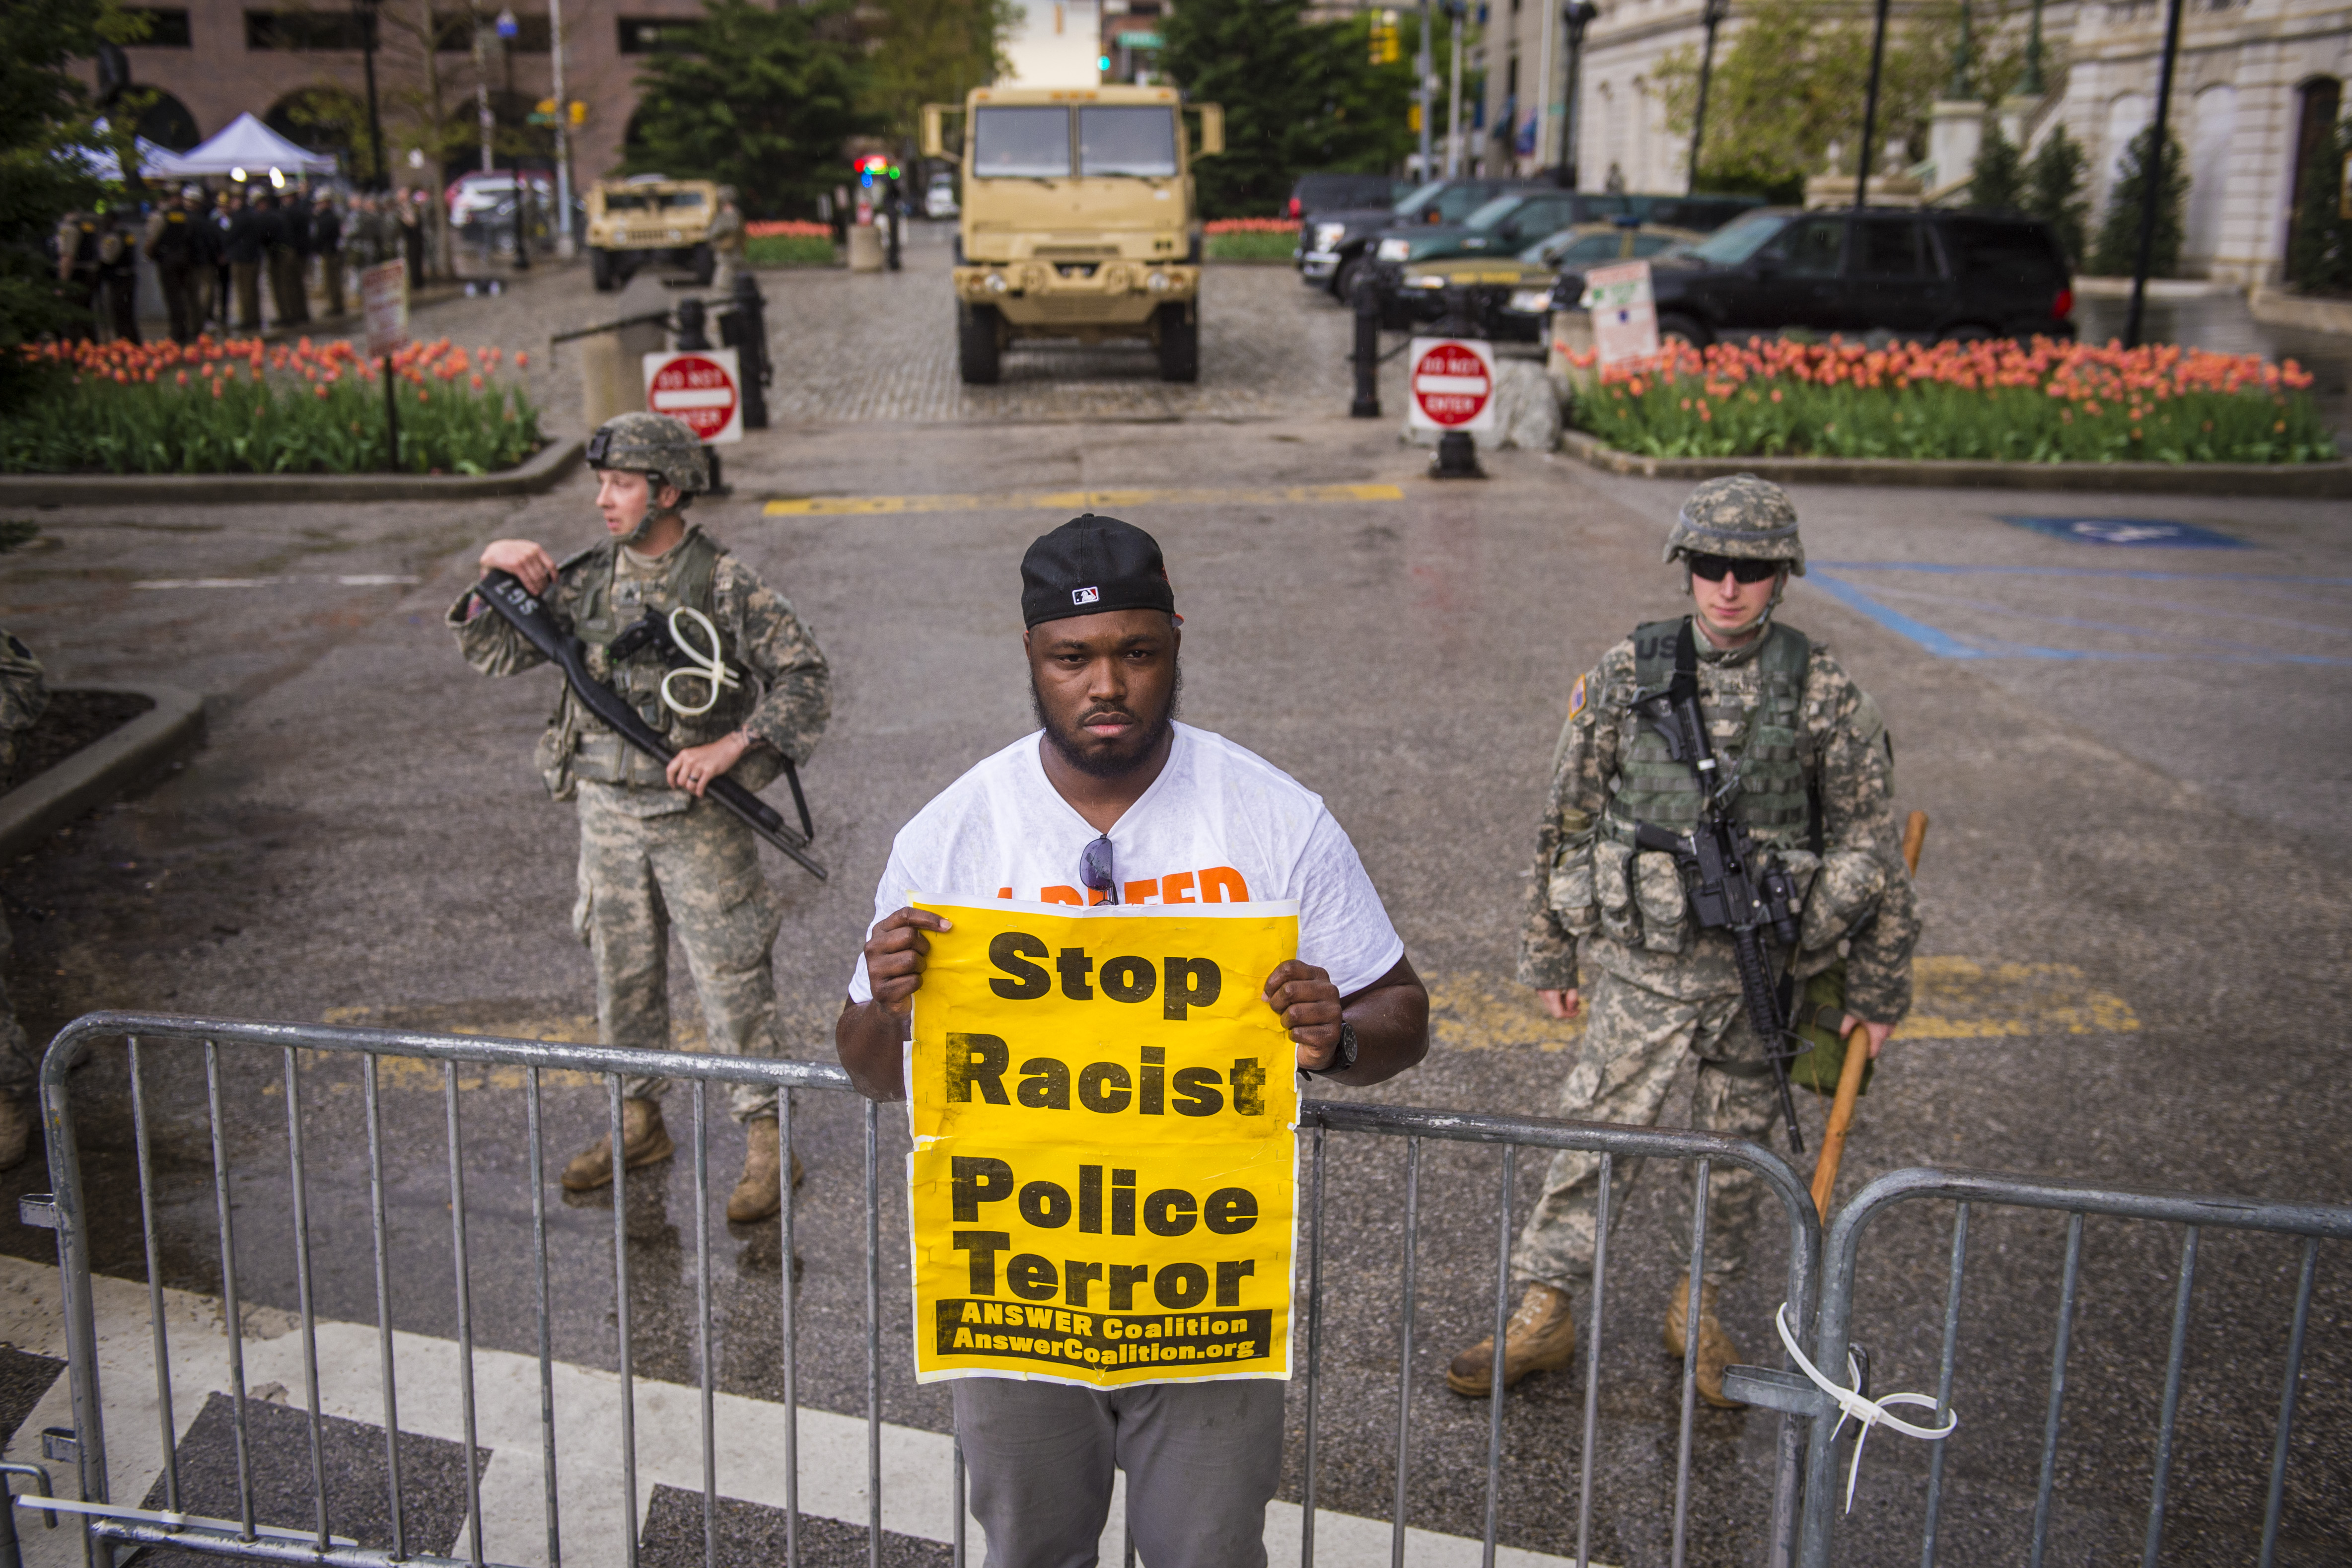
point(1765, 744)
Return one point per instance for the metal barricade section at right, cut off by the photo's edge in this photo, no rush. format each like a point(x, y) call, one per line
point(1833, 1334)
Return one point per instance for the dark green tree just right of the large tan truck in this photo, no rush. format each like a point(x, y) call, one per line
point(1297, 95)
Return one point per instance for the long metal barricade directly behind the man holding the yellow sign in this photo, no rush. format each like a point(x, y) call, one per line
point(107, 1525)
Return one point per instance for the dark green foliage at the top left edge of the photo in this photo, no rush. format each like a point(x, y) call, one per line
point(44, 114)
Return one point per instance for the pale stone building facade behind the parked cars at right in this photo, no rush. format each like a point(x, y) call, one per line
point(2257, 83)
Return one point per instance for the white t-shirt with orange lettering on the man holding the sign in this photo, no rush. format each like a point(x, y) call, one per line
point(1217, 826)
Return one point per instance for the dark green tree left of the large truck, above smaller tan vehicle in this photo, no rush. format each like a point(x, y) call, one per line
point(763, 100)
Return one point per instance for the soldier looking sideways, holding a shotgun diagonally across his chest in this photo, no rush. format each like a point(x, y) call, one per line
point(655, 857)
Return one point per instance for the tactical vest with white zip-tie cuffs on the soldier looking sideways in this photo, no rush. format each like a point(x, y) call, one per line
point(580, 744)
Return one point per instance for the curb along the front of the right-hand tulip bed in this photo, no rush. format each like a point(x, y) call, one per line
point(2297, 481)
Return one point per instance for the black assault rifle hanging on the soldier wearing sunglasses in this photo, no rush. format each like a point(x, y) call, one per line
point(1735, 887)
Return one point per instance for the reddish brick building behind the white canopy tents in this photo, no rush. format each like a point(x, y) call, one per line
point(215, 60)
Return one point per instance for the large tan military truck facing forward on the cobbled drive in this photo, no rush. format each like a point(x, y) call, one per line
point(1078, 220)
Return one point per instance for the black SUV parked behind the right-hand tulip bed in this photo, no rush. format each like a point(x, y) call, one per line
point(1876, 272)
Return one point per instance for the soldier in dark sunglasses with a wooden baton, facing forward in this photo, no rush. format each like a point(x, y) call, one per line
point(1610, 925)
